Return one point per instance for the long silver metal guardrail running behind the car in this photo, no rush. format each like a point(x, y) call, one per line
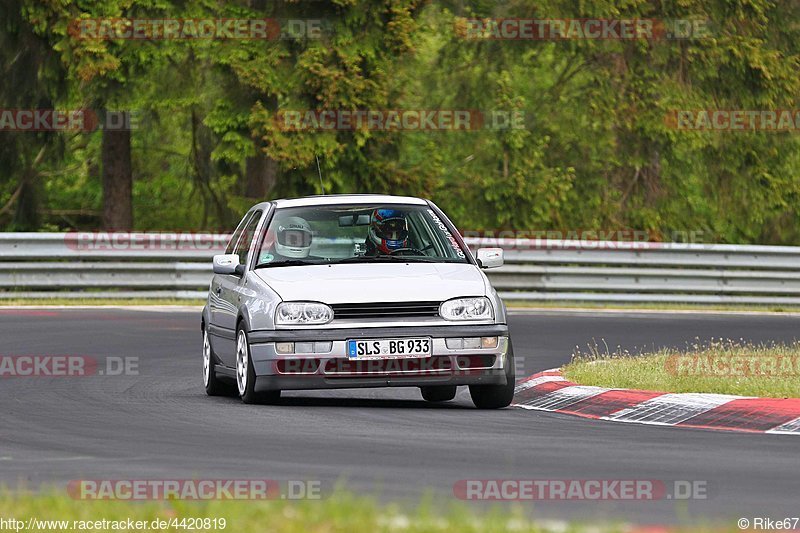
point(148, 265)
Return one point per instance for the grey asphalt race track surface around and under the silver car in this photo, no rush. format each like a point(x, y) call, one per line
point(384, 442)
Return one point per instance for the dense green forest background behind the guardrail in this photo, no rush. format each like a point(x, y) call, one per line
point(596, 152)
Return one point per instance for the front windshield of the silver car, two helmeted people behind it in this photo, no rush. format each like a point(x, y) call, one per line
point(357, 234)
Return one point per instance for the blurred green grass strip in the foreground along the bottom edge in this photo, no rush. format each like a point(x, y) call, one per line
point(339, 512)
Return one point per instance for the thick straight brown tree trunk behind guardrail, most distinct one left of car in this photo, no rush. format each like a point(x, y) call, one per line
point(117, 179)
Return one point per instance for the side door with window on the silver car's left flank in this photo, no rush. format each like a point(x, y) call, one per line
point(229, 288)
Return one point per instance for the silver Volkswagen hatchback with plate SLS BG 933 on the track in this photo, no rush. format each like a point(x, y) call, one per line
point(351, 291)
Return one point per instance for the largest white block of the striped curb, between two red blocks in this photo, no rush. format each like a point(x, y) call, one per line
point(671, 409)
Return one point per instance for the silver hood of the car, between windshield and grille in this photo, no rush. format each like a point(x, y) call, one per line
point(358, 283)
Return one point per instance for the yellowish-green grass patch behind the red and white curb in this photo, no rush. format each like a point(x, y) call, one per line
point(722, 366)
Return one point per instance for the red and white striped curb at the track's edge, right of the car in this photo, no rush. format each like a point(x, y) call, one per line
point(550, 391)
